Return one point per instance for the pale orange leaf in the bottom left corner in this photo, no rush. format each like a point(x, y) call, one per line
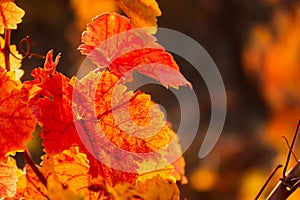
point(8, 178)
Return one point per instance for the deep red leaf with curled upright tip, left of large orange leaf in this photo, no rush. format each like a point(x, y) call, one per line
point(50, 95)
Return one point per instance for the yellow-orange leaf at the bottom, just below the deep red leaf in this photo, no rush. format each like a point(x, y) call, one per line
point(68, 172)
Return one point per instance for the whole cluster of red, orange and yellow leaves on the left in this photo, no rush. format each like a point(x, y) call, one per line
point(61, 106)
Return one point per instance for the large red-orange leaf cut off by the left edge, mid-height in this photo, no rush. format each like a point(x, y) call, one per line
point(16, 121)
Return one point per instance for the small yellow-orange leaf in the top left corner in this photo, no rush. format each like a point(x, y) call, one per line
point(10, 15)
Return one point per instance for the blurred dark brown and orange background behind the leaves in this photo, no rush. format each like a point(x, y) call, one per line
point(256, 46)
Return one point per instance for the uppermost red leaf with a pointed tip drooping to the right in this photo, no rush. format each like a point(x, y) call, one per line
point(111, 41)
